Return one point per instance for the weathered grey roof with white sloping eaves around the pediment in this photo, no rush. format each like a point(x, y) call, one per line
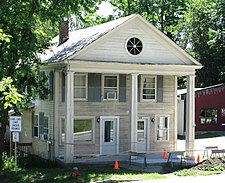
point(80, 40)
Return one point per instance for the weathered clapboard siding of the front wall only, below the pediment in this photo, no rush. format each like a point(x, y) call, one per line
point(116, 108)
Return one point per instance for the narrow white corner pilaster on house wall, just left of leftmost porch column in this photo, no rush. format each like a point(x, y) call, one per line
point(56, 110)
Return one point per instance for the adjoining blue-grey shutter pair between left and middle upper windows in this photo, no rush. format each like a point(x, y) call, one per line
point(94, 87)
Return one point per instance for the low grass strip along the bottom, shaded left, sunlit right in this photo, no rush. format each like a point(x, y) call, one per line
point(63, 175)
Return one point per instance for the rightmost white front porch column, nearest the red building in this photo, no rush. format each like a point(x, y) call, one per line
point(190, 115)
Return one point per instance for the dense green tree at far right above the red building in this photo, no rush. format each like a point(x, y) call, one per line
point(205, 33)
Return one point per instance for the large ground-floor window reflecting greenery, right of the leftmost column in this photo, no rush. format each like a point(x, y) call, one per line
point(83, 130)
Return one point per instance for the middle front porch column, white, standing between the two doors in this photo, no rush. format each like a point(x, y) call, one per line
point(133, 112)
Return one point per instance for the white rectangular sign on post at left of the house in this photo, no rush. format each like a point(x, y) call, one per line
point(15, 128)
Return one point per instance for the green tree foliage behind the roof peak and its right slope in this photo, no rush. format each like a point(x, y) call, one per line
point(164, 14)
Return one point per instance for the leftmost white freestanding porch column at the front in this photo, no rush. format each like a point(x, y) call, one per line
point(69, 147)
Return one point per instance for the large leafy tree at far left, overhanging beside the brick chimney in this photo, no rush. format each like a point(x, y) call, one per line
point(30, 25)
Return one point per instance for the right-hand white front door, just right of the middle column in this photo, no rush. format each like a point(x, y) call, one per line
point(142, 135)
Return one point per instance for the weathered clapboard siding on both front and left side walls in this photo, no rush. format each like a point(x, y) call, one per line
point(112, 108)
